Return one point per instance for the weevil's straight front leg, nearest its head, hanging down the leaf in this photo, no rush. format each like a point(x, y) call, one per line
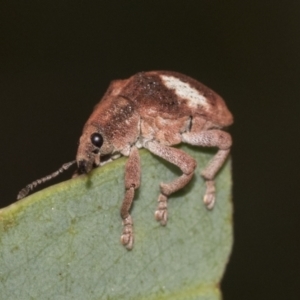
point(132, 182)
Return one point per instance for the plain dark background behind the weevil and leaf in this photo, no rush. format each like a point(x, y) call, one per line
point(57, 58)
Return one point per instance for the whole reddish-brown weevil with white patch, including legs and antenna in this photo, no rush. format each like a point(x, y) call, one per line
point(153, 110)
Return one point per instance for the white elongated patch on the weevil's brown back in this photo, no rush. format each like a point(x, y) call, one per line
point(184, 90)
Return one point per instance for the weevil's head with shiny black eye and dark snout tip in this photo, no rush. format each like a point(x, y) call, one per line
point(92, 144)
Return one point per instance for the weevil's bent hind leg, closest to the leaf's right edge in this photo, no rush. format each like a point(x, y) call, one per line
point(210, 138)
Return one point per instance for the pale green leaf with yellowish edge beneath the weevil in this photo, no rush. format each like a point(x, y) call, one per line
point(64, 242)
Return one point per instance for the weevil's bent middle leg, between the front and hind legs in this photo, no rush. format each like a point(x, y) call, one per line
point(179, 158)
